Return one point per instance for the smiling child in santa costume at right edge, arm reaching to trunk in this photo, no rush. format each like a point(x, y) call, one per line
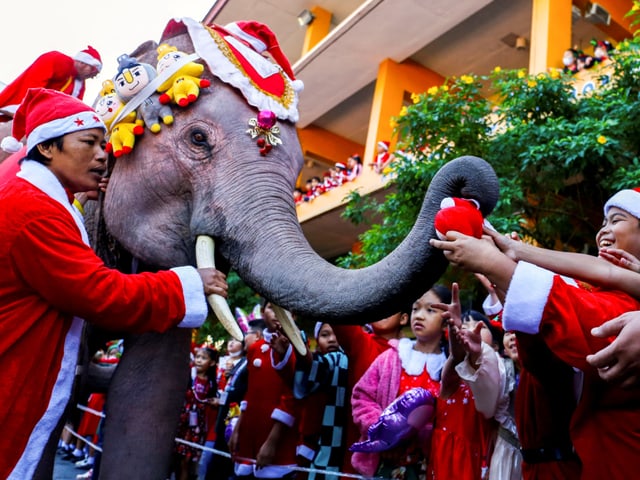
point(605, 427)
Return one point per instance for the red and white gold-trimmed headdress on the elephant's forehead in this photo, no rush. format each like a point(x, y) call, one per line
point(234, 60)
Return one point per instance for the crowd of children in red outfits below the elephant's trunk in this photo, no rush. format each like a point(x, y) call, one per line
point(433, 391)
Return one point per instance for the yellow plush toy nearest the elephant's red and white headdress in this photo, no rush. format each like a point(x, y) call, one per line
point(183, 87)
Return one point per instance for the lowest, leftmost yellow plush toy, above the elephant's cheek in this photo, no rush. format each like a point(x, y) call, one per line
point(122, 136)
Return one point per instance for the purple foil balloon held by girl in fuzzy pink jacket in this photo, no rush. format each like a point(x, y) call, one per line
point(407, 414)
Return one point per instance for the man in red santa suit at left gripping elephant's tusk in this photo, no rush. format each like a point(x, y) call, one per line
point(51, 281)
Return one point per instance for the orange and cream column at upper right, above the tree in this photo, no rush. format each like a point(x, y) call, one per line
point(550, 34)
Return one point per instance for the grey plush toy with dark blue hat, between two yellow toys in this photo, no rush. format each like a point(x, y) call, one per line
point(132, 77)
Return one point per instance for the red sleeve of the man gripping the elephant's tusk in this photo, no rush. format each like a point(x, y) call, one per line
point(50, 257)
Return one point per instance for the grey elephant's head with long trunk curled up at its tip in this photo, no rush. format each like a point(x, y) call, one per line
point(205, 175)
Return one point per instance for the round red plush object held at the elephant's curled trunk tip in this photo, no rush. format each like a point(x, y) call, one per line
point(459, 214)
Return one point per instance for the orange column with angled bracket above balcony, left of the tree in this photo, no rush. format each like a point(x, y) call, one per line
point(395, 82)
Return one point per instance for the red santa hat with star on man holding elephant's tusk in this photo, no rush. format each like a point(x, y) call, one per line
point(45, 114)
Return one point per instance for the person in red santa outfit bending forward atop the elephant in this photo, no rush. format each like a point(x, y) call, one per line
point(53, 70)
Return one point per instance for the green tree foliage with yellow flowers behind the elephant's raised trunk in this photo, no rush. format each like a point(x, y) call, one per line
point(558, 155)
